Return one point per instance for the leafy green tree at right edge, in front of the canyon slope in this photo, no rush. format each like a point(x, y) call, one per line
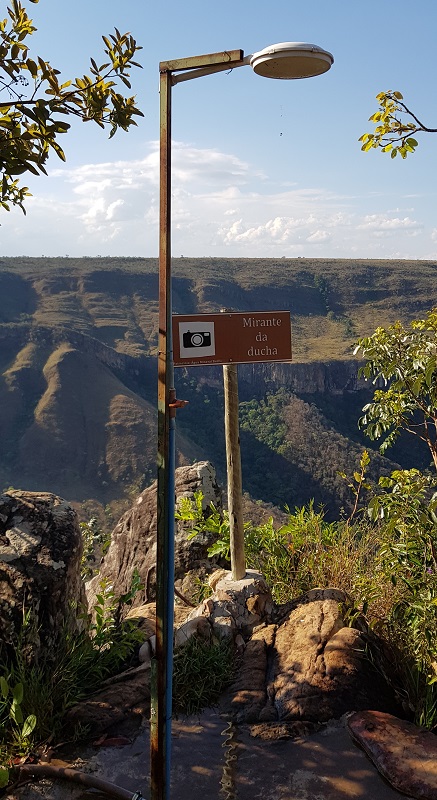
point(404, 360)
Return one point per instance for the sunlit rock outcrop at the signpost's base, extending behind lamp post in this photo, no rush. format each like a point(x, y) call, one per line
point(292, 677)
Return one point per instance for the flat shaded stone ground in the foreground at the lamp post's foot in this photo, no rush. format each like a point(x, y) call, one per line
point(213, 759)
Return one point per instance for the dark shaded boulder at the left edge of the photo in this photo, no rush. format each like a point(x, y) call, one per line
point(40, 558)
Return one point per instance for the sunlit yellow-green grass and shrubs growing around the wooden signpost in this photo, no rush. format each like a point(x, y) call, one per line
point(304, 553)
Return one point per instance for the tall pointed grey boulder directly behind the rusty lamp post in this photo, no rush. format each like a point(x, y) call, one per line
point(133, 540)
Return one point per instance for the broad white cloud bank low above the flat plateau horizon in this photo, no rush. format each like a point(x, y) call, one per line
point(221, 205)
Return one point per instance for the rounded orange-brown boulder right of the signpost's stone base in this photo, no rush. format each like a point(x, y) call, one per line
point(311, 667)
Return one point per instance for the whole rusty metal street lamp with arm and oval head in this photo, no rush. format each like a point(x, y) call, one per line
point(287, 60)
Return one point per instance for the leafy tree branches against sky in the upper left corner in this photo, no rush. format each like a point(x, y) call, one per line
point(34, 104)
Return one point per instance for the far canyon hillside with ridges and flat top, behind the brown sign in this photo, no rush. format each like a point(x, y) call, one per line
point(78, 374)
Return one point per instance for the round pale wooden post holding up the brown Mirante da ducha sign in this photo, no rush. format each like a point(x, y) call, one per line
point(233, 464)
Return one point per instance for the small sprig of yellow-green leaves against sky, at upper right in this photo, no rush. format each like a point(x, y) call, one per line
point(396, 126)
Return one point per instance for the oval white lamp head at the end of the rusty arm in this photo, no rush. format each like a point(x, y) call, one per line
point(288, 60)
